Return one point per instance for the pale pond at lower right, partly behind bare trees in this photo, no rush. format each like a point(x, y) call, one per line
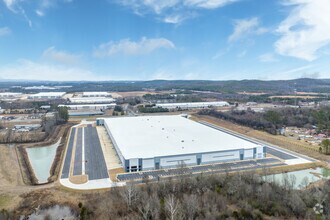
point(301, 178)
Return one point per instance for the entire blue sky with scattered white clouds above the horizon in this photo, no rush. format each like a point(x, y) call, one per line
point(164, 39)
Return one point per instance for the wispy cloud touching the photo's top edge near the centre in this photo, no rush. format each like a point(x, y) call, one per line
point(173, 11)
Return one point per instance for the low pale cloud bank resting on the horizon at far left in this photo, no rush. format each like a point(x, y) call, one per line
point(27, 69)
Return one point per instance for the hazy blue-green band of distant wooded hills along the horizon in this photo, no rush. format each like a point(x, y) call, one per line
point(230, 86)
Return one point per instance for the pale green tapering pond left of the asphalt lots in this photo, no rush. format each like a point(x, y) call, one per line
point(41, 159)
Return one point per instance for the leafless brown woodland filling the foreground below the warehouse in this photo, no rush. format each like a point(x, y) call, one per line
point(237, 196)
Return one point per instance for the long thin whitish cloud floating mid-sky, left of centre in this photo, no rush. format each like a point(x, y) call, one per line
point(128, 47)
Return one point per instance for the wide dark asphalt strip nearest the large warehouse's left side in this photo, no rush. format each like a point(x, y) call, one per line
point(95, 166)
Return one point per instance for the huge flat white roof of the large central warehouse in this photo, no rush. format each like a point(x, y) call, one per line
point(155, 136)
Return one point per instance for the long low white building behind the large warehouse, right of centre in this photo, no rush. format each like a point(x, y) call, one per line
point(189, 105)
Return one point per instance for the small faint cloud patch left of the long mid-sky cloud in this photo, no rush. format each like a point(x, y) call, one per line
point(61, 57)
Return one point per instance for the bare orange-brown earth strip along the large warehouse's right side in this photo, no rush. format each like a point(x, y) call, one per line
point(281, 141)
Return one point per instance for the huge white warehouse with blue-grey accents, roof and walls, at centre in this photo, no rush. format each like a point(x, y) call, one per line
point(156, 142)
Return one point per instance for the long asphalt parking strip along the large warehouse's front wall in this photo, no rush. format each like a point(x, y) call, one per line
point(195, 170)
